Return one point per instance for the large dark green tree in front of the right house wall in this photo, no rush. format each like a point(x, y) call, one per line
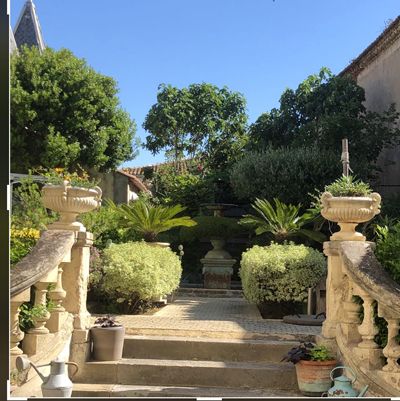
point(323, 110)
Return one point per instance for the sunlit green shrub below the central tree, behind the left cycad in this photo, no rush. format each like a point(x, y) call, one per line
point(189, 189)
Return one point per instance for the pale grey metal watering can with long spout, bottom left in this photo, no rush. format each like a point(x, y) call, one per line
point(57, 384)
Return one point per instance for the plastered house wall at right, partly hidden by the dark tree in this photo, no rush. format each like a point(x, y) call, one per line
point(381, 81)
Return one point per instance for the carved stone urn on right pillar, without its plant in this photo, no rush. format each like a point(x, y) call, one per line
point(348, 211)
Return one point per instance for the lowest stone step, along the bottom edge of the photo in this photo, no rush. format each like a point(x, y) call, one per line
point(118, 390)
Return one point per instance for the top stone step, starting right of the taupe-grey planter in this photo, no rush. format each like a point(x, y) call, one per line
point(206, 349)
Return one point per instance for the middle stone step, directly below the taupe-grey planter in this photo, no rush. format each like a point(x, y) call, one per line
point(162, 372)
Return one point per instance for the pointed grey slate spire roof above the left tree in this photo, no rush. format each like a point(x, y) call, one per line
point(27, 31)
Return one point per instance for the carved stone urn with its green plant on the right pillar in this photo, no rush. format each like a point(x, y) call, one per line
point(348, 202)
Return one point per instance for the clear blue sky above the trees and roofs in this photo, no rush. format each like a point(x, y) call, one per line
point(256, 47)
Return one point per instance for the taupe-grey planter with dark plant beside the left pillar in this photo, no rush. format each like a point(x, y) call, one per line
point(107, 339)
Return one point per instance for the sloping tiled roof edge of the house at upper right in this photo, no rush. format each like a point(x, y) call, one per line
point(389, 36)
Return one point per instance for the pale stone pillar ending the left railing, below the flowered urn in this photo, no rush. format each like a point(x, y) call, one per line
point(75, 280)
